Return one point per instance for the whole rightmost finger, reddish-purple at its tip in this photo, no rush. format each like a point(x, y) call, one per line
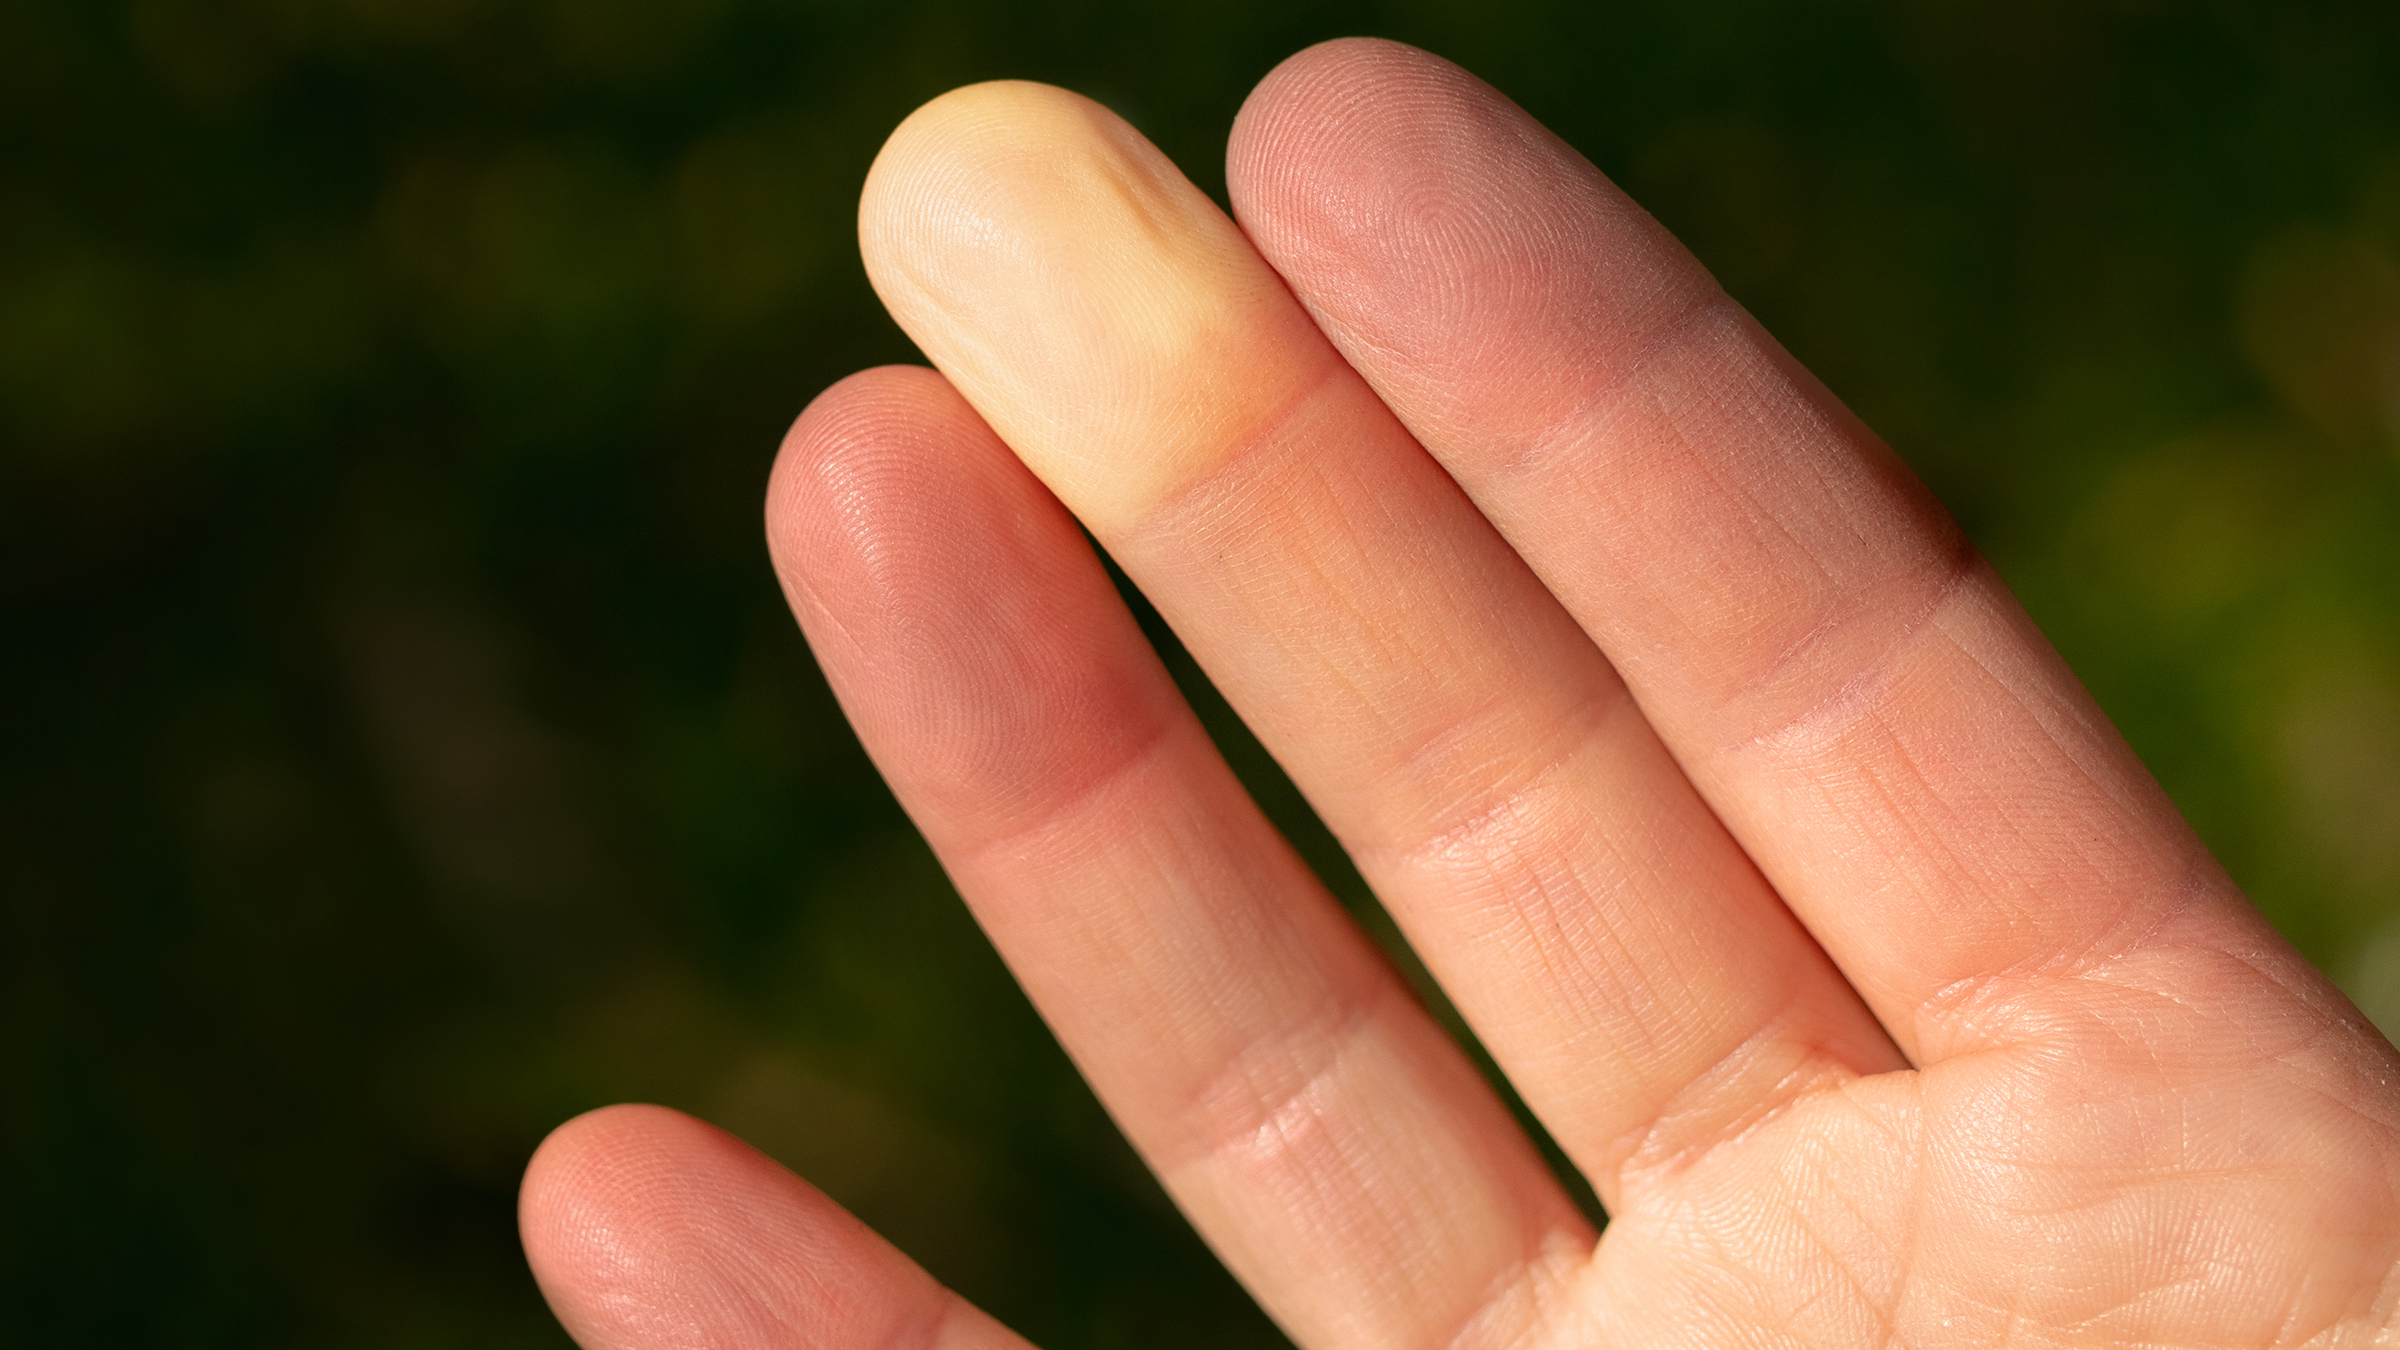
point(1842, 676)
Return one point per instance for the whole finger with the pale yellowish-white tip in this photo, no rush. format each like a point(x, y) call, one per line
point(1448, 719)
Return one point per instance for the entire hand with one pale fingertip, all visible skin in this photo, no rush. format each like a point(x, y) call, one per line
point(1775, 854)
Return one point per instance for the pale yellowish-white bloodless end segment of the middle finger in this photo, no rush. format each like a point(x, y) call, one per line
point(1096, 309)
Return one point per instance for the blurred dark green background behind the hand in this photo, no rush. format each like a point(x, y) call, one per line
point(402, 741)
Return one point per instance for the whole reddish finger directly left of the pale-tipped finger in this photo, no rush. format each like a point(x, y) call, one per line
point(1304, 1111)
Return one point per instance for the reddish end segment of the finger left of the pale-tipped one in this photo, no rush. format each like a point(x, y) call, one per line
point(956, 609)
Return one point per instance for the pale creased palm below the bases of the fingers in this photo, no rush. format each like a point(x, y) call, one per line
point(2065, 1207)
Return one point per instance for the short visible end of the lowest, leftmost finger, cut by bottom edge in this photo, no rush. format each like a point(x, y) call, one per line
point(652, 1231)
